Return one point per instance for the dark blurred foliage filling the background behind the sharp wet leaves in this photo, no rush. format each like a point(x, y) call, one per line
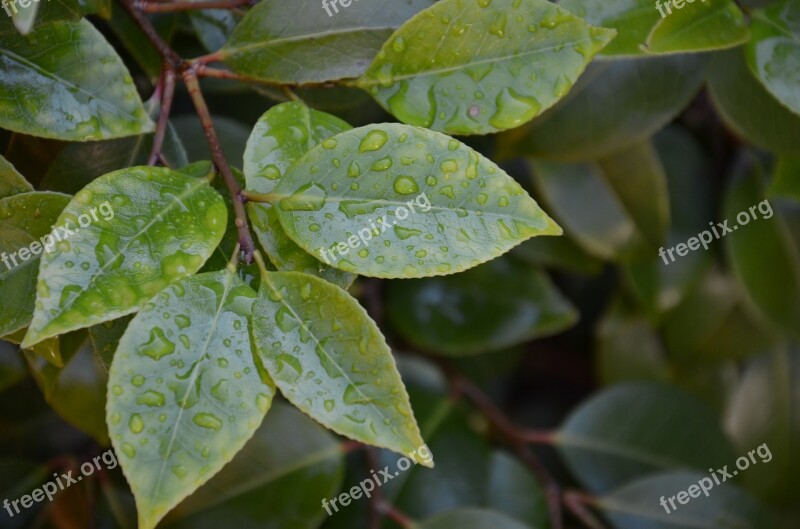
point(629, 377)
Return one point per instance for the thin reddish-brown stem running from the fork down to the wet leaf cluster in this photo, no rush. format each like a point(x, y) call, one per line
point(218, 157)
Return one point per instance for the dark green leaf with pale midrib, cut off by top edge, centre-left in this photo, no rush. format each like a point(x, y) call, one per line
point(297, 43)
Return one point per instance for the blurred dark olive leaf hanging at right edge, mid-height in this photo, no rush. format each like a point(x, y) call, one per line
point(762, 251)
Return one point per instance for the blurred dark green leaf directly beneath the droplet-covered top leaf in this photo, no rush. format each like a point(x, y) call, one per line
point(614, 106)
